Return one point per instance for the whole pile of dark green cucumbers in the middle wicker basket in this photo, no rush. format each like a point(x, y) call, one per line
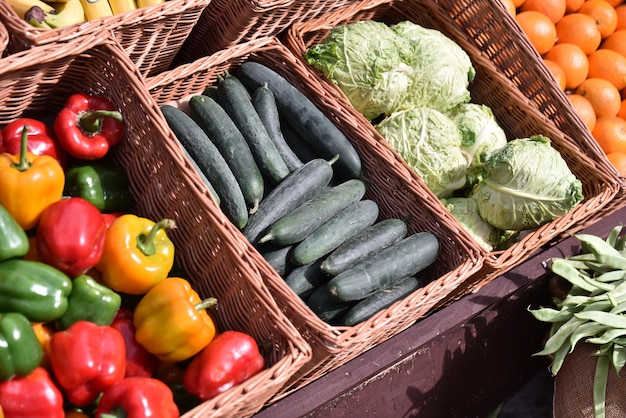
point(289, 179)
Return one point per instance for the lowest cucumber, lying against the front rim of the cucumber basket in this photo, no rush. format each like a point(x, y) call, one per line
point(384, 298)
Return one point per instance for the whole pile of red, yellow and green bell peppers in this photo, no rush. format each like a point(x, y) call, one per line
point(94, 319)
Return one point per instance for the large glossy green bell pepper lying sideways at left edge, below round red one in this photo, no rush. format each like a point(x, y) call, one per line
point(34, 289)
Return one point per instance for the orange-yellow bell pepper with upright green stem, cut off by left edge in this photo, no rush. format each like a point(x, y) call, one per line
point(29, 183)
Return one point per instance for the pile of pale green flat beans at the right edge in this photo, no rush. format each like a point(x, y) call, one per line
point(593, 310)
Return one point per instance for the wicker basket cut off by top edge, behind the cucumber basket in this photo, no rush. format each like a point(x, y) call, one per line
point(228, 22)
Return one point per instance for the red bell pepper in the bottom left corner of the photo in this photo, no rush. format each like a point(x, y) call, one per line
point(32, 396)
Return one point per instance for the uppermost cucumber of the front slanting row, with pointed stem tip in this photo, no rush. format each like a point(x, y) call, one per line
point(294, 190)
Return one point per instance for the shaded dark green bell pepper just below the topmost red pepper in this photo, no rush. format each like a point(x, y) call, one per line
point(103, 184)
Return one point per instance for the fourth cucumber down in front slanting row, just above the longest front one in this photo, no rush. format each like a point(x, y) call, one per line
point(364, 245)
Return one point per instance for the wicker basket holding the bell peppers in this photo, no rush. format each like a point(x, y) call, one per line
point(38, 81)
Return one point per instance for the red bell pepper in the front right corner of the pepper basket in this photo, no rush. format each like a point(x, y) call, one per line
point(230, 358)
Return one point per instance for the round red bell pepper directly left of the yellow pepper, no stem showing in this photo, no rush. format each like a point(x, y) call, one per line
point(71, 235)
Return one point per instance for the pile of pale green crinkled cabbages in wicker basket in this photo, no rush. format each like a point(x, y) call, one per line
point(457, 147)
